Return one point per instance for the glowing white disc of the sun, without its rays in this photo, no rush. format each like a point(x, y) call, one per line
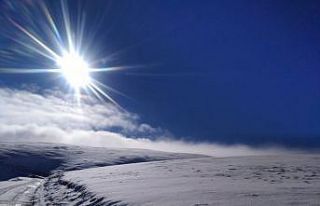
point(75, 70)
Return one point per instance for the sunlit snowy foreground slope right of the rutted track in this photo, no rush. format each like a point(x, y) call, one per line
point(255, 180)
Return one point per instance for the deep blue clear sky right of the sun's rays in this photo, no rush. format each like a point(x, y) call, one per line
point(220, 71)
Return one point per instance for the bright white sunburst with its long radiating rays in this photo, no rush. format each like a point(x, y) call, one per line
point(67, 61)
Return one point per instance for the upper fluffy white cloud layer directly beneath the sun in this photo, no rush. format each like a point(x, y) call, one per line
point(21, 107)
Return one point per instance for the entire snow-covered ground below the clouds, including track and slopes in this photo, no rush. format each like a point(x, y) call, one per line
point(49, 174)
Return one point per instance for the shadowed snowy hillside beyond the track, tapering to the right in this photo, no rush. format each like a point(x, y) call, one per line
point(25, 159)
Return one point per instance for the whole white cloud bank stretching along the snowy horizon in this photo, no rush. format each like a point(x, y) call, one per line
point(52, 117)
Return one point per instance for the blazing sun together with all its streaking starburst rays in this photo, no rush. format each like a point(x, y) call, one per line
point(64, 47)
